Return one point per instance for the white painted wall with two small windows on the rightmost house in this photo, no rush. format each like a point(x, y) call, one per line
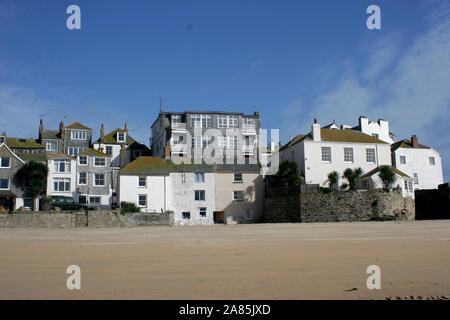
point(417, 161)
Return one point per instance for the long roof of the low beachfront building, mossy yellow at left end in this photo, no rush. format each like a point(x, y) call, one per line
point(159, 166)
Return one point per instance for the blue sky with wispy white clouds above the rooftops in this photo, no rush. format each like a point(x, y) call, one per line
point(290, 60)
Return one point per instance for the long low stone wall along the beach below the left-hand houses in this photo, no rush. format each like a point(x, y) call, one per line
point(94, 219)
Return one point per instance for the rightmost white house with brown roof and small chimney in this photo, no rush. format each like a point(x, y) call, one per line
point(422, 163)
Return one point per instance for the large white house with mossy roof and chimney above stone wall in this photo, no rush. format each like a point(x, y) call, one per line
point(333, 149)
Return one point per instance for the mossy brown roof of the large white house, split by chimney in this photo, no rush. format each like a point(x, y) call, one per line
point(337, 135)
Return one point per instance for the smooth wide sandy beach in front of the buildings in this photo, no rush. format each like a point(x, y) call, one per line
point(267, 261)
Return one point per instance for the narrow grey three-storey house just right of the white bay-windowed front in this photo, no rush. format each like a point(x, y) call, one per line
point(94, 178)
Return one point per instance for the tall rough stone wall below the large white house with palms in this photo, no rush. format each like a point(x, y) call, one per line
point(340, 206)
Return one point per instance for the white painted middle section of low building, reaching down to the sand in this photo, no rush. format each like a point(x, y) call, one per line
point(182, 199)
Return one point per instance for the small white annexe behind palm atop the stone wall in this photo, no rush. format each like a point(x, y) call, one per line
point(371, 180)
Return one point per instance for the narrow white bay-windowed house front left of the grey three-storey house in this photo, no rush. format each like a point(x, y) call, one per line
point(61, 179)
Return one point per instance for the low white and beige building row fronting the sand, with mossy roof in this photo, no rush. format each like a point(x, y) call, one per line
point(196, 194)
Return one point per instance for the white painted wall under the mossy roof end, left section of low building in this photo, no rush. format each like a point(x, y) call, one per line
point(156, 191)
